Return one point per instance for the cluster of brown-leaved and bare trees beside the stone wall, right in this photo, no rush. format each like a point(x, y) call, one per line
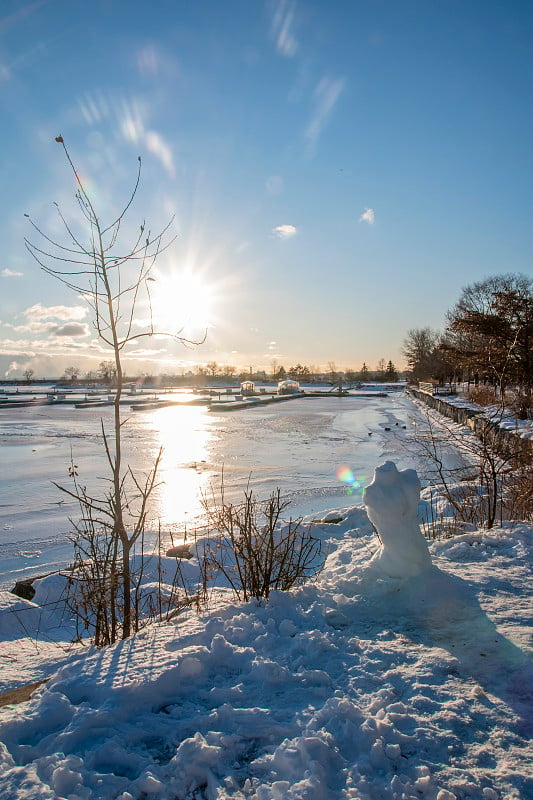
point(487, 338)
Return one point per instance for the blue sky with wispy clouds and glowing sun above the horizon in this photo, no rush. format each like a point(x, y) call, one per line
point(336, 173)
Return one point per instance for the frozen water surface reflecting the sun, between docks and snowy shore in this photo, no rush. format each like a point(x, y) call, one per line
point(299, 446)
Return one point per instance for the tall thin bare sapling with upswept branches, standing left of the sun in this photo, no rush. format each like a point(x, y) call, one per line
point(96, 266)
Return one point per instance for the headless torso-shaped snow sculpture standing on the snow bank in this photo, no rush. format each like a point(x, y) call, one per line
point(391, 502)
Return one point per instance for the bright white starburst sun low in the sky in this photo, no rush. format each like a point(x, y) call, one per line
point(182, 300)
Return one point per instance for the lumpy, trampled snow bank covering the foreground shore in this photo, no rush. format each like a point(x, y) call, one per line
point(356, 686)
